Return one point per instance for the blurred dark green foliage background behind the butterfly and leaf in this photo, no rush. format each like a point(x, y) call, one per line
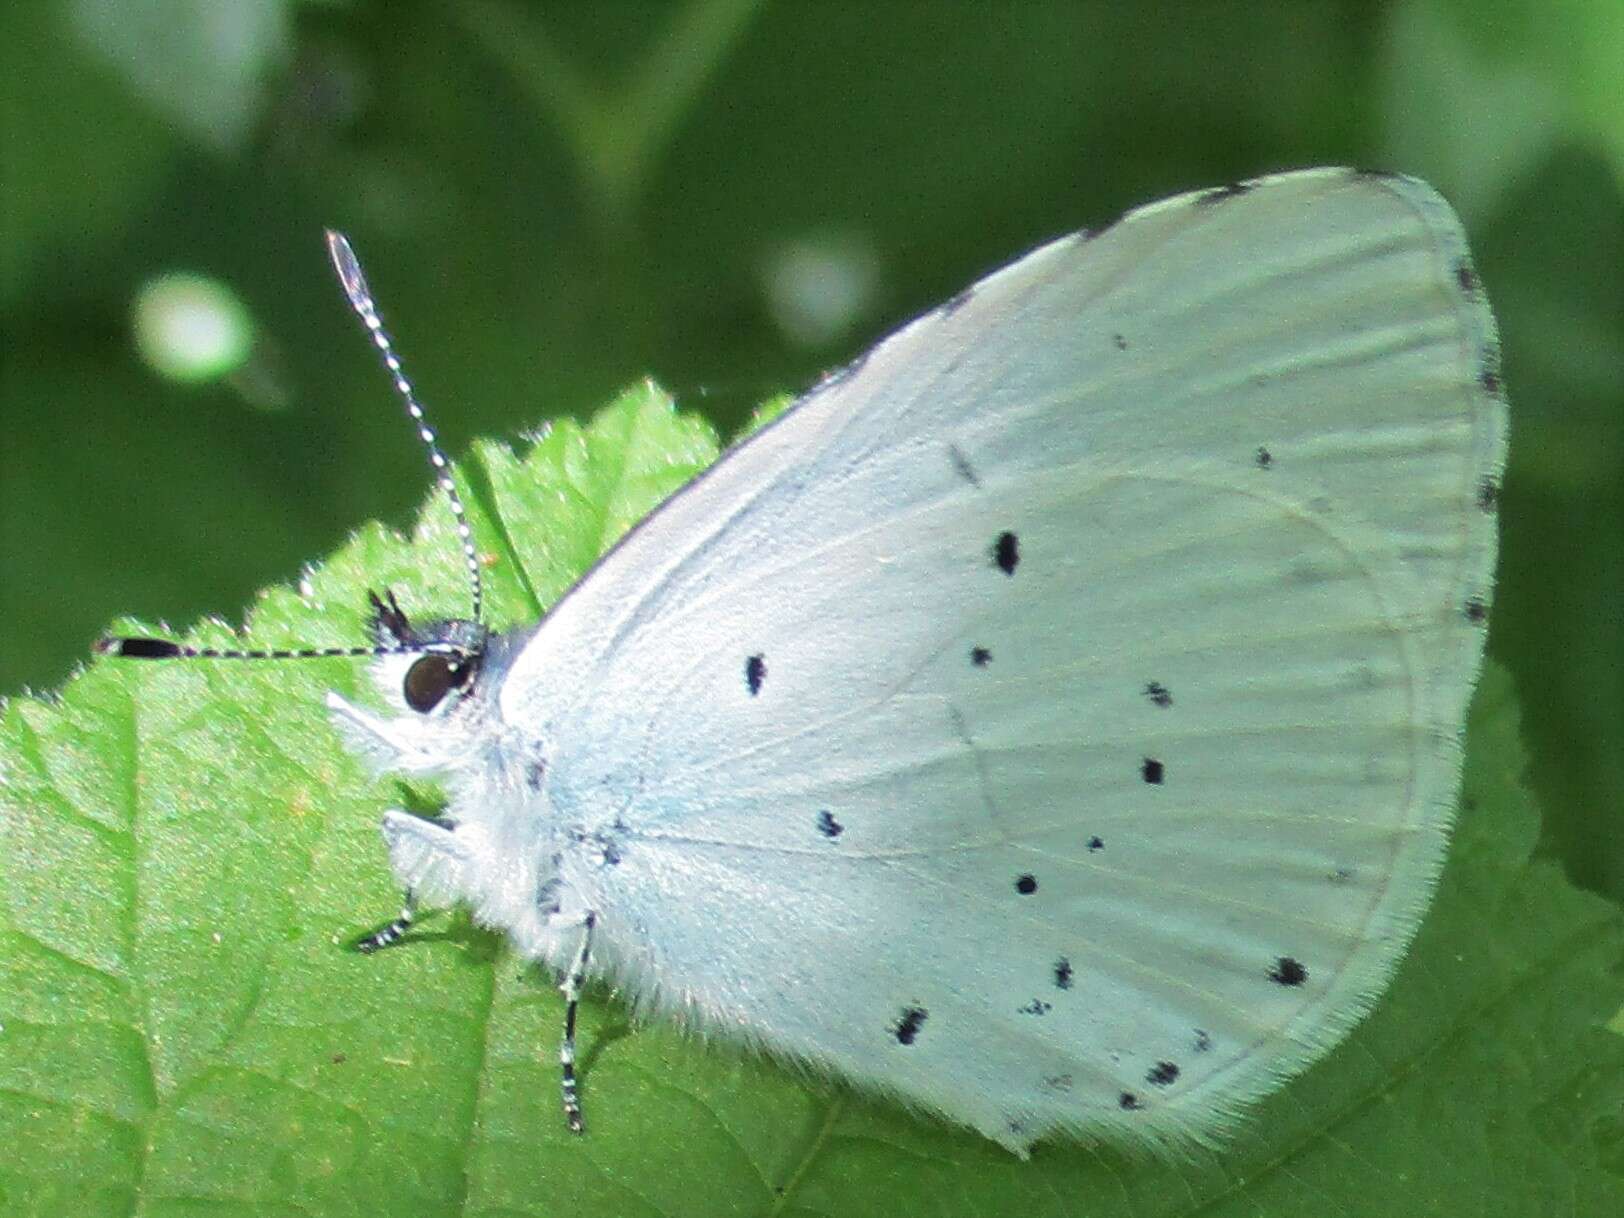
point(730, 196)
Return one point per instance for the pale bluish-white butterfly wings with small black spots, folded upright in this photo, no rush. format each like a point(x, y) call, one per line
point(1055, 722)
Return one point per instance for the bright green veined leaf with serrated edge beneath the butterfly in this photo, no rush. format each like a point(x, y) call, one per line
point(184, 850)
